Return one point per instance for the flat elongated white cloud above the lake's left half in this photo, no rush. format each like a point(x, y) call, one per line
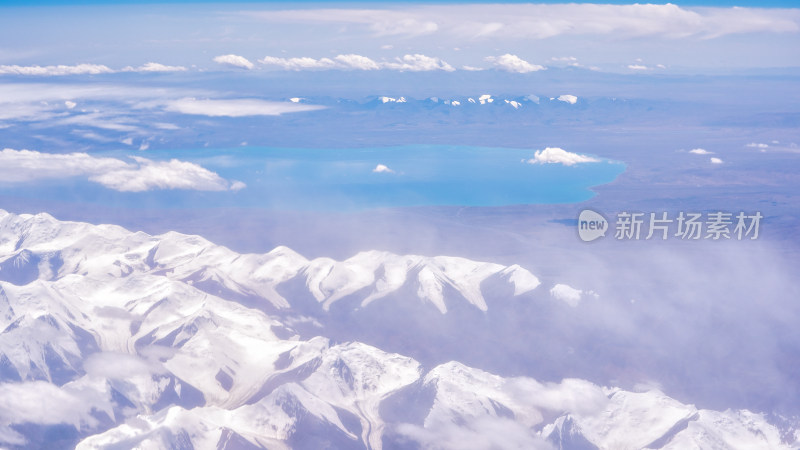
point(236, 107)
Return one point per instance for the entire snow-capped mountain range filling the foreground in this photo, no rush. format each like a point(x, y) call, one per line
point(115, 339)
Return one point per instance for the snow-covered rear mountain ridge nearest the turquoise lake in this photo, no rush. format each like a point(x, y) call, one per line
point(40, 247)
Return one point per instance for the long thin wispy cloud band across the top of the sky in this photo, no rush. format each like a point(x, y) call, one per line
point(543, 21)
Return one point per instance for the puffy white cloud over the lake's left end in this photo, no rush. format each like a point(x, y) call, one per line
point(140, 175)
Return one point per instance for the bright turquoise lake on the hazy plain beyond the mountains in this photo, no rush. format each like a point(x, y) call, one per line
point(345, 180)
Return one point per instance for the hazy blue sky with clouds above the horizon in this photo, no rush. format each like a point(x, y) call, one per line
point(615, 38)
